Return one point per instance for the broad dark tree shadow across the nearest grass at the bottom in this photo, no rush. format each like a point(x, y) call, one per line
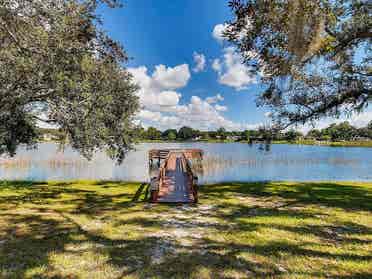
point(45, 236)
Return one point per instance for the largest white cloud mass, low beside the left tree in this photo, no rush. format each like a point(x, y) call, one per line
point(161, 103)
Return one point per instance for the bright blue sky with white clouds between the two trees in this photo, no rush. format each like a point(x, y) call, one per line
point(187, 73)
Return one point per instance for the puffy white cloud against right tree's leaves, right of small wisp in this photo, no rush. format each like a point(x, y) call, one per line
point(232, 72)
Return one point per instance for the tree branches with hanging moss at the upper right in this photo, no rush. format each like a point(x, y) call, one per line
point(313, 56)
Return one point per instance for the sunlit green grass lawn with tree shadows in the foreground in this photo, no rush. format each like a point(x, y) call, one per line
point(238, 230)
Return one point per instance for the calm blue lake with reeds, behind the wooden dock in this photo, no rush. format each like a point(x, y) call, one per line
point(222, 162)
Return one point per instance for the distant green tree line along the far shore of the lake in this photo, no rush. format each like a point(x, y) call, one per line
point(343, 131)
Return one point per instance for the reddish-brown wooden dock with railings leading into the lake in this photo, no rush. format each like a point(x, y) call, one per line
point(175, 182)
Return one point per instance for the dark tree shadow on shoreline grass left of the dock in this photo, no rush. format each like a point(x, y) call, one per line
point(84, 198)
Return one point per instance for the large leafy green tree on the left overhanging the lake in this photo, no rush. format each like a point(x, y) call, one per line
point(57, 66)
